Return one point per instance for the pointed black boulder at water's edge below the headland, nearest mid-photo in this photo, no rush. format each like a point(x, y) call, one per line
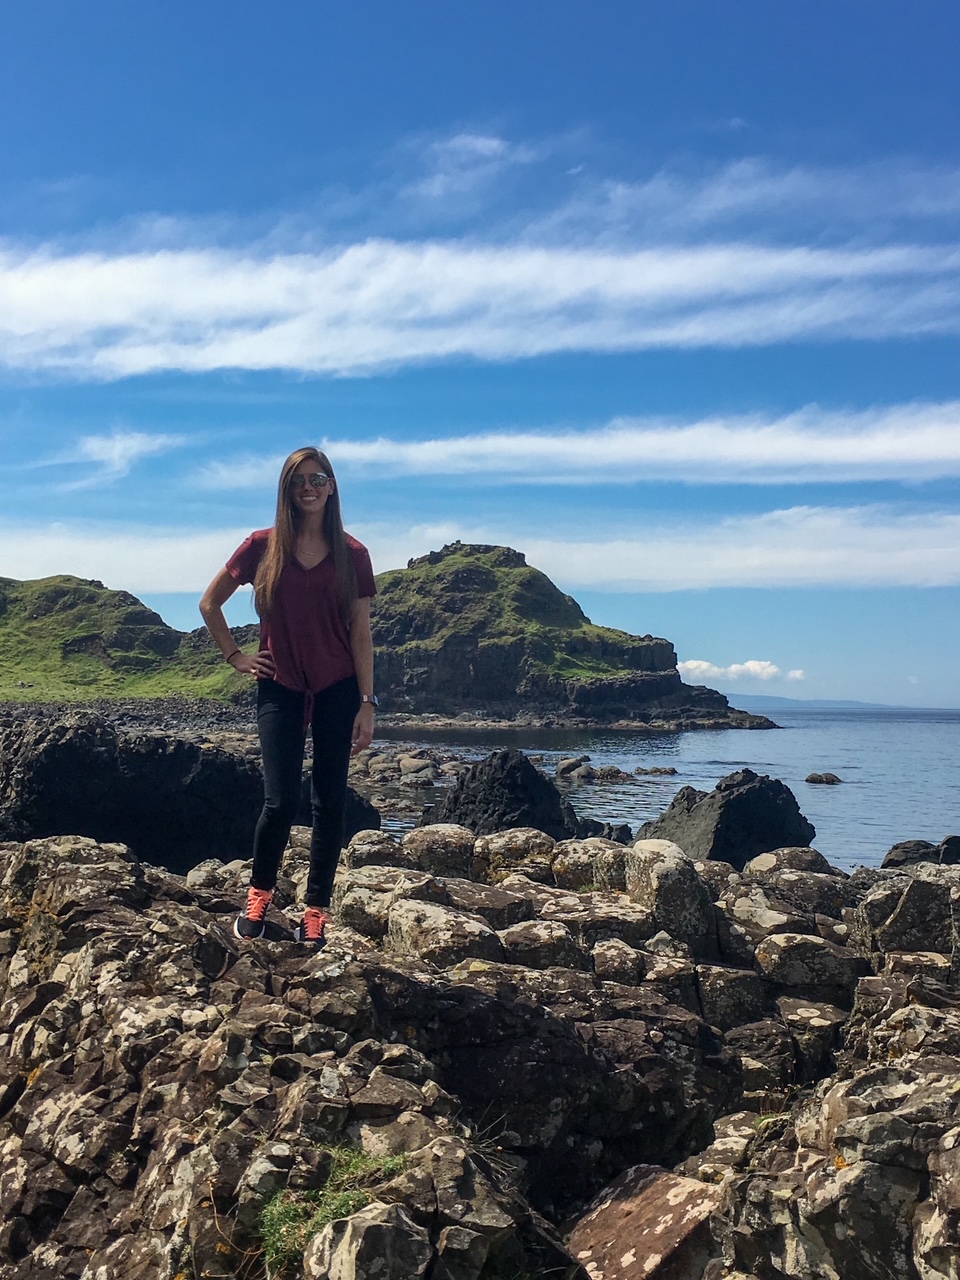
point(506, 790)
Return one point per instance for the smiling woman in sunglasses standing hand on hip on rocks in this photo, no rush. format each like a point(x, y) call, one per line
point(313, 586)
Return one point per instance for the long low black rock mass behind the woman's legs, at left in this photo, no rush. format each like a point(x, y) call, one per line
point(175, 802)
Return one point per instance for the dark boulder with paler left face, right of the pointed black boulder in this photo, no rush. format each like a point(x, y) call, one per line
point(744, 816)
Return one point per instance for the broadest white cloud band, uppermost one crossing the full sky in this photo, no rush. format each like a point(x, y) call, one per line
point(383, 304)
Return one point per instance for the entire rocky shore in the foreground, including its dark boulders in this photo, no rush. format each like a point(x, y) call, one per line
point(523, 1054)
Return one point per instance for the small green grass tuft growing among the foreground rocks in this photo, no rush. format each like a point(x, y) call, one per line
point(291, 1219)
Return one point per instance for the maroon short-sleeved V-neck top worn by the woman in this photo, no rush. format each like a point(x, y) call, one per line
point(305, 633)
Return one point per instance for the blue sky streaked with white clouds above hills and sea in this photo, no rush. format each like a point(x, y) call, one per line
point(665, 296)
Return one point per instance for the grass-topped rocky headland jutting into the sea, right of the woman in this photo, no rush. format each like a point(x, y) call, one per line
point(477, 628)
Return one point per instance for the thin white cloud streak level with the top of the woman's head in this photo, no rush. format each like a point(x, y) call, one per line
point(895, 442)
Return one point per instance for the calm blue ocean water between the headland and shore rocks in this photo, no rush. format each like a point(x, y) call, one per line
point(900, 771)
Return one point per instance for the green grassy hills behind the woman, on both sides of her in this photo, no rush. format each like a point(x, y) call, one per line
point(465, 629)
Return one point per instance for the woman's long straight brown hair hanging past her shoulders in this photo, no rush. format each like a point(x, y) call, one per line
point(282, 543)
